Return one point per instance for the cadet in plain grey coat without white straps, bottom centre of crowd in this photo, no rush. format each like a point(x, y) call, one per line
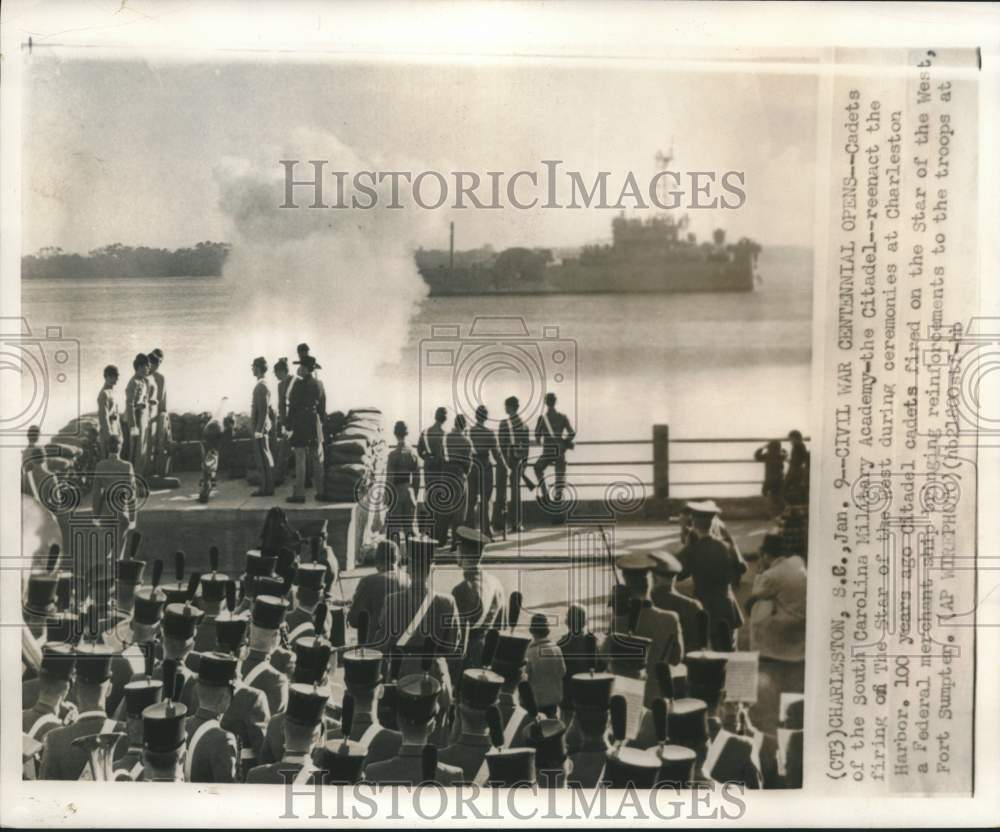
point(417, 710)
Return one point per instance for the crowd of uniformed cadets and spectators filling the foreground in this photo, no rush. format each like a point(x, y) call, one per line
point(207, 679)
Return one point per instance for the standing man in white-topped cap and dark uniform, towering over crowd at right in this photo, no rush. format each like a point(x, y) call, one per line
point(716, 569)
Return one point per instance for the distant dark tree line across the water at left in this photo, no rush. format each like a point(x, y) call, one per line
point(204, 259)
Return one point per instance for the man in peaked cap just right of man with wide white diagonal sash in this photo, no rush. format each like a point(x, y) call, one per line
point(479, 597)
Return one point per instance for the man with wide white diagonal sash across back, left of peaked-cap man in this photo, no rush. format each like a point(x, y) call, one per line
point(418, 616)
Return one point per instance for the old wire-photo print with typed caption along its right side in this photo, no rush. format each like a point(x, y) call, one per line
point(445, 420)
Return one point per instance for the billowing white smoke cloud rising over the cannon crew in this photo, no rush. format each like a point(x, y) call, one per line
point(342, 280)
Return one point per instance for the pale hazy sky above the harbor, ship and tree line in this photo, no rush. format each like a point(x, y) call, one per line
point(166, 154)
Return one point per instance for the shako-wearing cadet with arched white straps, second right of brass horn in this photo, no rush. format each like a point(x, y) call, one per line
point(212, 752)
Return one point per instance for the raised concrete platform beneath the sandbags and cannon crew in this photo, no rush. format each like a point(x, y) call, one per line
point(232, 520)
